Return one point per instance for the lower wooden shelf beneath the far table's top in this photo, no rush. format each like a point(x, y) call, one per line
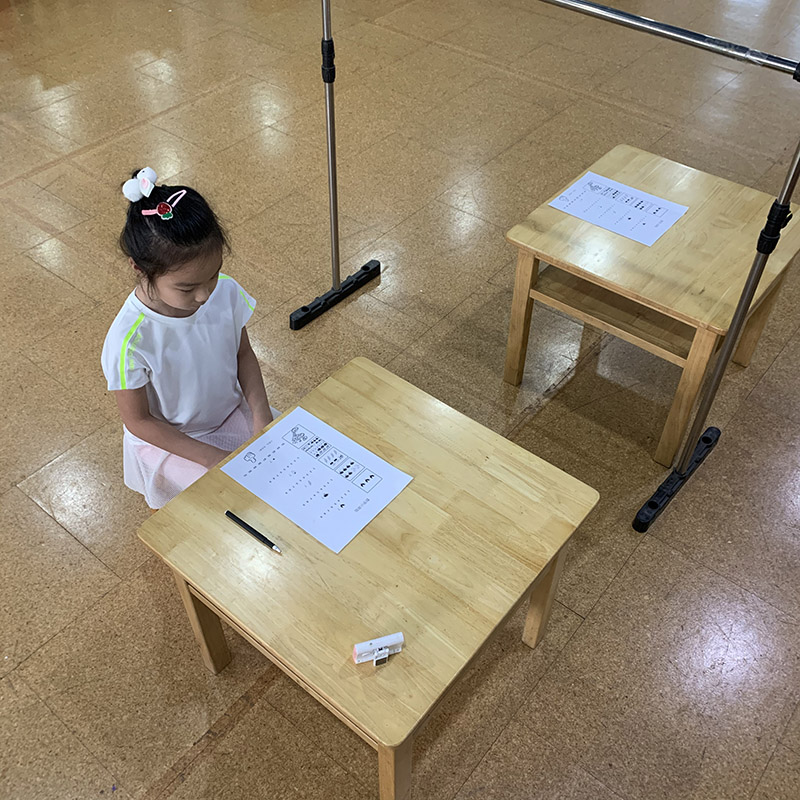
point(655, 332)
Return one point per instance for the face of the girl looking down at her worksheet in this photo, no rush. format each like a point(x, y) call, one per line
point(180, 292)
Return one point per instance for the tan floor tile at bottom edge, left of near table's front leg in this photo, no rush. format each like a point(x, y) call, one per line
point(247, 763)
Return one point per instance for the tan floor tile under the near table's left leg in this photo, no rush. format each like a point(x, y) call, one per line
point(126, 678)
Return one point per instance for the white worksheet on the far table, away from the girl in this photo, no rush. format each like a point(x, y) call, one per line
point(619, 208)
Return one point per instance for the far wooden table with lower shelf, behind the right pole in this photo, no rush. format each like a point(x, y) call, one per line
point(676, 298)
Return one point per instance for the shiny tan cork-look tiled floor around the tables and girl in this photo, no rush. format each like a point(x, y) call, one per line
point(671, 668)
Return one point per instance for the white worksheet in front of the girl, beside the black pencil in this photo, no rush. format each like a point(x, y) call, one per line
point(320, 479)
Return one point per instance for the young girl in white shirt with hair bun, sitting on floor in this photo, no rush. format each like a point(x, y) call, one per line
point(187, 382)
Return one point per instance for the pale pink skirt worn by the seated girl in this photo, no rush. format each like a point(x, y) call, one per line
point(160, 475)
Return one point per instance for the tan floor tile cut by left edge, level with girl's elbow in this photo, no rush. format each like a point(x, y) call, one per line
point(43, 418)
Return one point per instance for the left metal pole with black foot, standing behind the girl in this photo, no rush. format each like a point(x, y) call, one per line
point(339, 289)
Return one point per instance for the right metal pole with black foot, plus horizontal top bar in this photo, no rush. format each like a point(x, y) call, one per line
point(698, 446)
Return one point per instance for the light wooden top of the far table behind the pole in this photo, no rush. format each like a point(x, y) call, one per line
point(696, 271)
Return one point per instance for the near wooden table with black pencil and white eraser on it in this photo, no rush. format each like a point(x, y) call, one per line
point(480, 529)
